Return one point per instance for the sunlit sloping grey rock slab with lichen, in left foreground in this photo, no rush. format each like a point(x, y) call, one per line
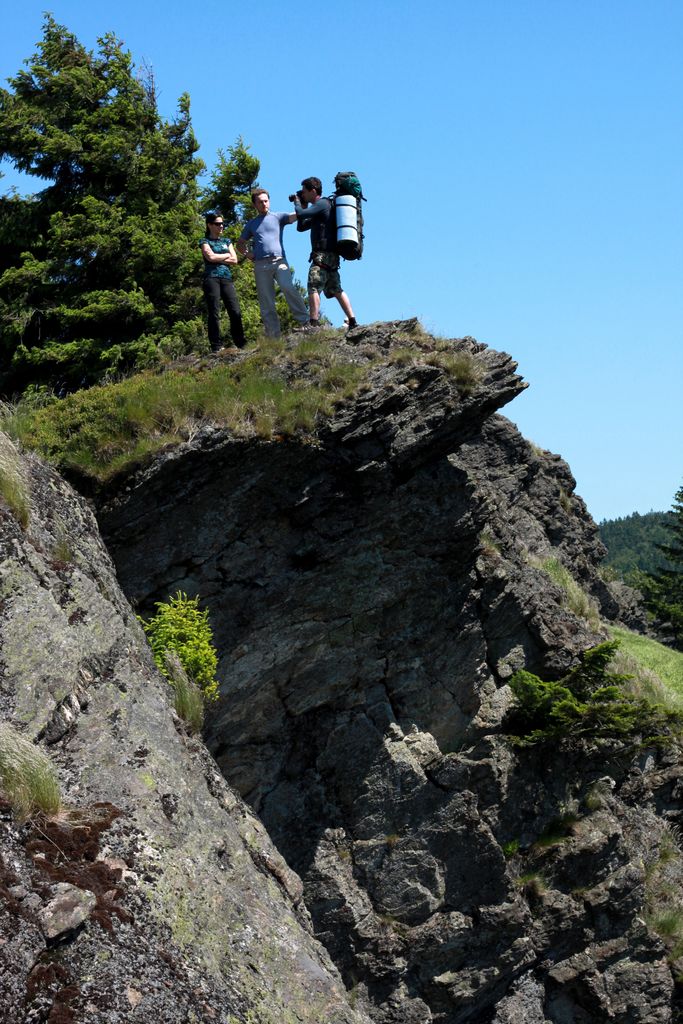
point(157, 894)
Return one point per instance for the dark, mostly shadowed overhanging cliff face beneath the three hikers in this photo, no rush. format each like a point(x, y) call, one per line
point(371, 594)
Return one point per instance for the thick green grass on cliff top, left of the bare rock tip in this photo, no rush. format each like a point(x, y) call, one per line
point(107, 430)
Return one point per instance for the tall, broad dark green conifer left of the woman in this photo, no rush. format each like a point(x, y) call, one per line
point(98, 267)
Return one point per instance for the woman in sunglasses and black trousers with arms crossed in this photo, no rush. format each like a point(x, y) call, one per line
point(220, 255)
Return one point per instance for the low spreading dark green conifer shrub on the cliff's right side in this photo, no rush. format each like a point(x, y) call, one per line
point(587, 704)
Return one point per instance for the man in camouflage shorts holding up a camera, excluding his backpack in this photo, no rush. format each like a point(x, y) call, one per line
point(318, 217)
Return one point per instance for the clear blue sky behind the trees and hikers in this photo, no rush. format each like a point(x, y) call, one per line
point(523, 162)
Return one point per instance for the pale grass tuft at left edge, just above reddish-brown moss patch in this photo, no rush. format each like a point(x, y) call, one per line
point(27, 777)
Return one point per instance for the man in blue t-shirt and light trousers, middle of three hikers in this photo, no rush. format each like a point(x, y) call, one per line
point(268, 254)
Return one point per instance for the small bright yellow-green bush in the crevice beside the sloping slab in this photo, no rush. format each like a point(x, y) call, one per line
point(180, 626)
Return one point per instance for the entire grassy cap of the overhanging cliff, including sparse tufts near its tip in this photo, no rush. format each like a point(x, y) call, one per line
point(274, 391)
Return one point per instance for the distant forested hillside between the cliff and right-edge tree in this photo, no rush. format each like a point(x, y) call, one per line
point(632, 543)
